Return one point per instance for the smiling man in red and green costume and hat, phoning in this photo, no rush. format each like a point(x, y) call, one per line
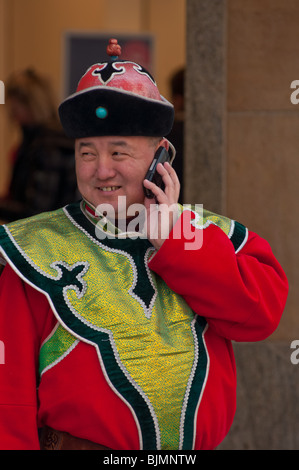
point(118, 332)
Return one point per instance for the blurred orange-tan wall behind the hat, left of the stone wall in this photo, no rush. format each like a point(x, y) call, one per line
point(32, 31)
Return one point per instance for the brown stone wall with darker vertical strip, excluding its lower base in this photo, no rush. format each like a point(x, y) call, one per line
point(242, 129)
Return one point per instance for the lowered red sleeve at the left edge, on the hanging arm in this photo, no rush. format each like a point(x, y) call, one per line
point(22, 325)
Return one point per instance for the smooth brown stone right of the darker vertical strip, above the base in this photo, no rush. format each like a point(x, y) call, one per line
point(263, 131)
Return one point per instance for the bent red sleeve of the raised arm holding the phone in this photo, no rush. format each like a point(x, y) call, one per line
point(242, 296)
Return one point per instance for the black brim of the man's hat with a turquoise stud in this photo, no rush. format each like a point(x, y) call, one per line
point(125, 114)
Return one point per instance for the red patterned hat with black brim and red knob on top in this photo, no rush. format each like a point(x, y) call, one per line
point(119, 97)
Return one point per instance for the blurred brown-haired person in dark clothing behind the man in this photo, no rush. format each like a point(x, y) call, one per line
point(43, 171)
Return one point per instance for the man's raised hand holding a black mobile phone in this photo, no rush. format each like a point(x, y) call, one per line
point(162, 211)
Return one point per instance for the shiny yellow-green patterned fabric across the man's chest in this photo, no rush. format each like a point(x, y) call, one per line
point(105, 288)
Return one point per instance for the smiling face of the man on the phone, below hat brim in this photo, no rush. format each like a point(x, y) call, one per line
point(109, 167)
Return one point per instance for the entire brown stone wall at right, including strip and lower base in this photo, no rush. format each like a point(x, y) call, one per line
point(241, 158)
